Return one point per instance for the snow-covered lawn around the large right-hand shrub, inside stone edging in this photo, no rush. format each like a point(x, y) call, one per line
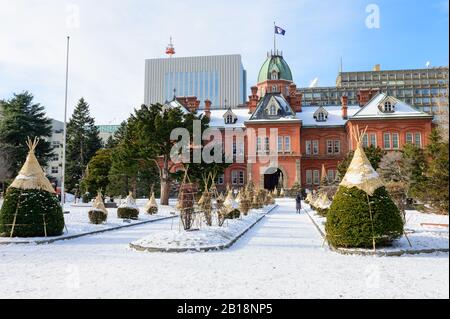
point(422, 237)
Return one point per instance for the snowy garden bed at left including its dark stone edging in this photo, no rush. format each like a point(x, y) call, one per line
point(78, 225)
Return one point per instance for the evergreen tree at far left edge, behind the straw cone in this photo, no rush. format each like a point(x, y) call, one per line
point(22, 118)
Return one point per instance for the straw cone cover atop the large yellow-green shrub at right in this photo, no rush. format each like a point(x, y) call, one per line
point(360, 173)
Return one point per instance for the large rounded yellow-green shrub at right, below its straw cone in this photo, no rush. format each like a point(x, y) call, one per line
point(348, 219)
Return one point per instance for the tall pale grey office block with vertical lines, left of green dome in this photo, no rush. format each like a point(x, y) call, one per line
point(220, 78)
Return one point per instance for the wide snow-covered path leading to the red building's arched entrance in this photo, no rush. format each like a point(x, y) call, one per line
point(281, 257)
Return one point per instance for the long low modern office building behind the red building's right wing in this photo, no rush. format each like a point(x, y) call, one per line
point(426, 89)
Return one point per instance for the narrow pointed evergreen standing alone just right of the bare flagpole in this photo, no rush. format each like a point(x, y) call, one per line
point(82, 142)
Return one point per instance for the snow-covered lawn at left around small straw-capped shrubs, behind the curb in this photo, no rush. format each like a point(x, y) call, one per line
point(77, 221)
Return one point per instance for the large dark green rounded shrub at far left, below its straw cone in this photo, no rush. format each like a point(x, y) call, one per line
point(34, 209)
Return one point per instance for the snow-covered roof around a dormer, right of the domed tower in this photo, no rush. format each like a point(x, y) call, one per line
point(334, 115)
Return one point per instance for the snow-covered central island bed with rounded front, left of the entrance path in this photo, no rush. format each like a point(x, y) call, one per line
point(204, 239)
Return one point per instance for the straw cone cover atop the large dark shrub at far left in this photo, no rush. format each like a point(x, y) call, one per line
point(31, 175)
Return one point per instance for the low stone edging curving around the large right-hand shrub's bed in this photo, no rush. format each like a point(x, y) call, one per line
point(344, 251)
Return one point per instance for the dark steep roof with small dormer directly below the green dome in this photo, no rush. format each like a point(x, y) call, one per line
point(284, 110)
